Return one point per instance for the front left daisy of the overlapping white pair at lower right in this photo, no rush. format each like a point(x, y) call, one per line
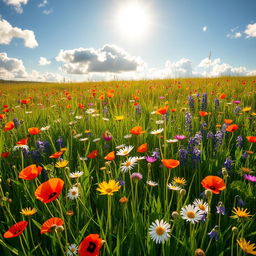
point(191, 213)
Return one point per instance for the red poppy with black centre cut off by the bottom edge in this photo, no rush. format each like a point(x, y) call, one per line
point(90, 246)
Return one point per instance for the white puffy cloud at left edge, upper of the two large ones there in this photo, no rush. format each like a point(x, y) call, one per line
point(8, 32)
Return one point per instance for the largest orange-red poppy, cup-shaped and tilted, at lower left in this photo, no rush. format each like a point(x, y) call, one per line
point(49, 190)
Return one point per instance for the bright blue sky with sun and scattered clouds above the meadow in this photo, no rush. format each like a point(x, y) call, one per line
point(85, 40)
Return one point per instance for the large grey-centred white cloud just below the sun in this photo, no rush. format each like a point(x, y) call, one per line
point(108, 59)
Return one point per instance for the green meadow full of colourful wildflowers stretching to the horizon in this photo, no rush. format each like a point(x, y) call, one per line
point(162, 167)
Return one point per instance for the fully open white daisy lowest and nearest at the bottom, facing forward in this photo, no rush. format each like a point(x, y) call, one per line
point(159, 230)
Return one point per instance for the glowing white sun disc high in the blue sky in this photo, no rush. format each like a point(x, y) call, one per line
point(133, 20)
